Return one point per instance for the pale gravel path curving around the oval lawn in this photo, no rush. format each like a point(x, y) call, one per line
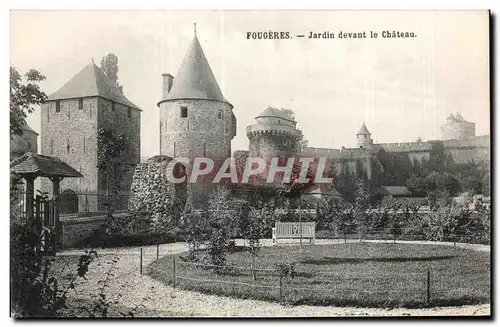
point(128, 289)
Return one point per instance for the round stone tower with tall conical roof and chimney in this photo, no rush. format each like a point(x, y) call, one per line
point(195, 118)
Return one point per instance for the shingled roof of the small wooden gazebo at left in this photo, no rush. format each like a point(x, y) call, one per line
point(43, 166)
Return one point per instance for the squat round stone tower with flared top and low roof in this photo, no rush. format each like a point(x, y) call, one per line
point(274, 135)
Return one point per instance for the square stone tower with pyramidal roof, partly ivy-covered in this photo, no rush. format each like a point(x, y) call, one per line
point(71, 120)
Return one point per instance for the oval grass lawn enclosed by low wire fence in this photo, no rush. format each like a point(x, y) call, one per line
point(352, 274)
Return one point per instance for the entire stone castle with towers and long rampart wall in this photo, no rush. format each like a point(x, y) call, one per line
point(196, 120)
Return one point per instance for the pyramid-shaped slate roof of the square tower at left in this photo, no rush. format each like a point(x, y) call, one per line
point(89, 82)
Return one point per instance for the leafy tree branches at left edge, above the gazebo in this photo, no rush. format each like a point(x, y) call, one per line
point(24, 96)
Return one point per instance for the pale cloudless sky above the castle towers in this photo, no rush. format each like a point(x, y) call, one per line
point(402, 88)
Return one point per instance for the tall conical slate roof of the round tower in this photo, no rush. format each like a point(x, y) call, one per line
point(195, 79)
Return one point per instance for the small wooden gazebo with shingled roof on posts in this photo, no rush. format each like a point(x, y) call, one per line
point(30, 166)
